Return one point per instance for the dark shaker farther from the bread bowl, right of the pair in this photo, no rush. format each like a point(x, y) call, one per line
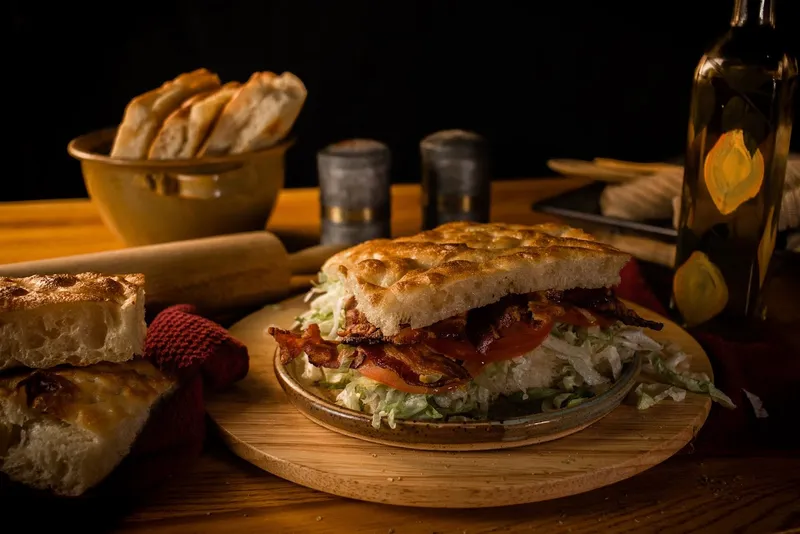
point(455, 178)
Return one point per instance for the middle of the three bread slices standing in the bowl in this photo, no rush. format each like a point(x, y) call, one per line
point(187, 127)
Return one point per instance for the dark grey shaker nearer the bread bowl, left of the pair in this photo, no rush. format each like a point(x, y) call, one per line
point(354, 191)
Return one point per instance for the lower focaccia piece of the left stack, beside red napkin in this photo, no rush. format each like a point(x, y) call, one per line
point(65, 429)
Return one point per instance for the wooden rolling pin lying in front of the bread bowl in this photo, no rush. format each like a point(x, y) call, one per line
point(216, 274)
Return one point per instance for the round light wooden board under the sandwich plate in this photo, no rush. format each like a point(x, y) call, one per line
point(259, 424)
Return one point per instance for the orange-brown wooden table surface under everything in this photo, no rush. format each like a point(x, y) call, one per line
point(753, 490)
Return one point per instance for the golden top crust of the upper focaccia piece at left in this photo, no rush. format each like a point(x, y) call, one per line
point(42, 290)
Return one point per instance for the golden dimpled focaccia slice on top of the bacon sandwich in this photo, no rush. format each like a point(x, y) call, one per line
point(433, 275)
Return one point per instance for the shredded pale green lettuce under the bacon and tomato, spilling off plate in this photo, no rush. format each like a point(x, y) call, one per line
point(573, 364)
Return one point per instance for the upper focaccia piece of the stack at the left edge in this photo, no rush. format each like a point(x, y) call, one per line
point(75, 319)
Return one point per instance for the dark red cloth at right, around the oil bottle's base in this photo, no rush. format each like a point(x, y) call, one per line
point(763, 367)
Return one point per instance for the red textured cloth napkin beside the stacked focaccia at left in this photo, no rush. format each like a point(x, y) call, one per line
point(203, 357)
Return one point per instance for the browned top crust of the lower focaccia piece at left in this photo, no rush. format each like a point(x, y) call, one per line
point(96, 398)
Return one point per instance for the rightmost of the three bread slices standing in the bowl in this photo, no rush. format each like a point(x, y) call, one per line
point(260, 115)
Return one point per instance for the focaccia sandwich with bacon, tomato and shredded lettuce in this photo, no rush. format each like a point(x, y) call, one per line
point(446, 322)
